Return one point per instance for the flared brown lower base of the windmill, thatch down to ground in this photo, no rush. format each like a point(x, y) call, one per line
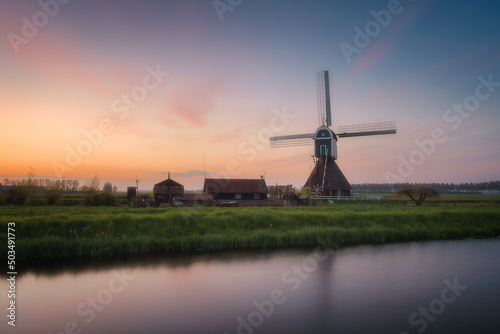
point(328, 180)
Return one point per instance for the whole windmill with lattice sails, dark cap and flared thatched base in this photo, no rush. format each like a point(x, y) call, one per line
point(326, 177)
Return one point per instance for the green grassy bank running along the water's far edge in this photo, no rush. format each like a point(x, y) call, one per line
point(63, 232)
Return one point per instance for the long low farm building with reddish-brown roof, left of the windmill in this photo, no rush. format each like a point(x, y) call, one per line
point(236, 189)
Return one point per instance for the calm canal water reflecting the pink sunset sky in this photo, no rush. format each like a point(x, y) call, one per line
point(431, 287)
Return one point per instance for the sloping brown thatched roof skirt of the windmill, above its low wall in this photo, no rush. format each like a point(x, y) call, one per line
point(334, 178)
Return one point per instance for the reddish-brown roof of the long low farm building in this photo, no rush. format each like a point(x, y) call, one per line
point(235, 186)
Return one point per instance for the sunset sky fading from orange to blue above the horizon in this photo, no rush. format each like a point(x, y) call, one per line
point(136, 89)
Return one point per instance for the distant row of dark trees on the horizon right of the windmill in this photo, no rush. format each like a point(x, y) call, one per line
point(444, 188)
